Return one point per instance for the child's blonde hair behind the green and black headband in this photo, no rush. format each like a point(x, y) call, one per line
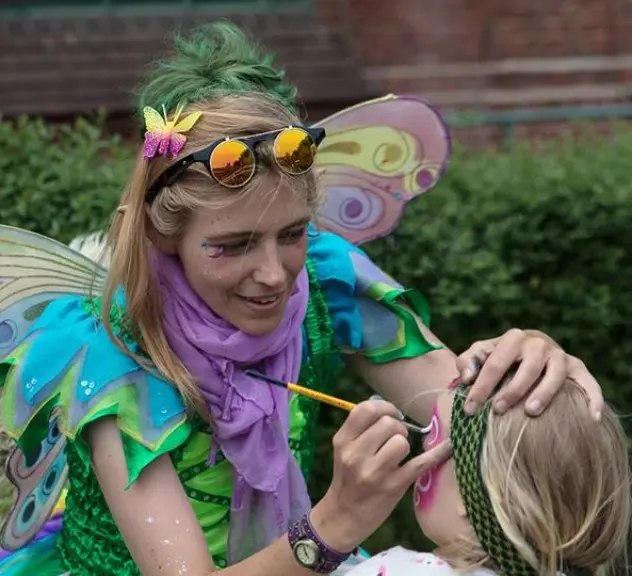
point(559, 487)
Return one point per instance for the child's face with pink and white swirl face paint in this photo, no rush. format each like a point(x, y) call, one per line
point(438, 505)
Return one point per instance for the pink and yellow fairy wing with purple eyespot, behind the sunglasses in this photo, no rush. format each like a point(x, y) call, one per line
point(378, 156)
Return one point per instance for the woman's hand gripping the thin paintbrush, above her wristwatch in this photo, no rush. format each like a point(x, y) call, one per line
point(369, 478)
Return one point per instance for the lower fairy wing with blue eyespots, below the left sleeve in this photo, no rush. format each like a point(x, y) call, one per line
point(39, 478)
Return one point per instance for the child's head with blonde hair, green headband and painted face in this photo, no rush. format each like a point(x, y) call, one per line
point(550, 492)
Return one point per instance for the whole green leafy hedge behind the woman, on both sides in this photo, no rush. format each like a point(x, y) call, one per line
point(529, 238)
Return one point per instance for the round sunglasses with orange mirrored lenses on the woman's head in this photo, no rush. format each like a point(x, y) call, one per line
point(232, 162)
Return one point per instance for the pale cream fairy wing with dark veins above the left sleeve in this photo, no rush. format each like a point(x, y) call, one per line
point(33, 271)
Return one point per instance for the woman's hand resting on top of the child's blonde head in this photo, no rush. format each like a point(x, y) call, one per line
point(542, 369)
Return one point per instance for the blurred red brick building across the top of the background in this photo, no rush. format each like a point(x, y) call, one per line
point(460, 54)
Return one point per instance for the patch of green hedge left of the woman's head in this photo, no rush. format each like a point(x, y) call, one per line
point(60, 181)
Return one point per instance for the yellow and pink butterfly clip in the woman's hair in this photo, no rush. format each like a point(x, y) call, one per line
point(165, 137)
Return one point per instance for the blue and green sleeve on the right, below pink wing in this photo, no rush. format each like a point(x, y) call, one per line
point(370, 312)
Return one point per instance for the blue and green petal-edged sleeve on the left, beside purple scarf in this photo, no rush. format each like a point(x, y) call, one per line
point(68, 365)
